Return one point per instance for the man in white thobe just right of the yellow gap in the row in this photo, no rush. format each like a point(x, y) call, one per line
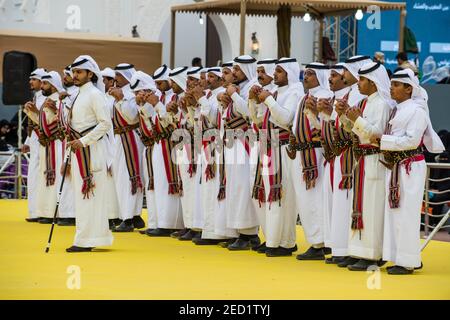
point(307, 166)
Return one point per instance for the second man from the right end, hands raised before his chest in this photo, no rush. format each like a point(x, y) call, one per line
point(367, 212)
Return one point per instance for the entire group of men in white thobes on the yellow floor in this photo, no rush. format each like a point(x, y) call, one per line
point(223, 153)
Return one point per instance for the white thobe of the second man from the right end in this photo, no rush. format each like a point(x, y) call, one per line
point(367, 244)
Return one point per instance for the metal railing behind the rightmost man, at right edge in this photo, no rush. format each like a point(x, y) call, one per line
point(427, 214)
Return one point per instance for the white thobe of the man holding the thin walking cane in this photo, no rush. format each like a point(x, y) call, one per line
point(92, 229)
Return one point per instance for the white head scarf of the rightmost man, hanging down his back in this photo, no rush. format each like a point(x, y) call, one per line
point(431, 139)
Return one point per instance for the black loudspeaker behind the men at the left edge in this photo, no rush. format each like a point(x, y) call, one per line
point(17, 67)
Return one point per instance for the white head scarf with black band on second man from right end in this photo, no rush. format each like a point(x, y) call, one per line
point(377, 73)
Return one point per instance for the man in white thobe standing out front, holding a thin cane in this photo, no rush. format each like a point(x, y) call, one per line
point(89, 122)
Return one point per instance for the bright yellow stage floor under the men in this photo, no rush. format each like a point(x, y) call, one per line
point(140, 267)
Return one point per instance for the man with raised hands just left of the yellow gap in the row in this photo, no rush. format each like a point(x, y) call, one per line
point(276, 190)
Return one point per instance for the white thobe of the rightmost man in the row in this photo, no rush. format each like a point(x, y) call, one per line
point(401, 240)
